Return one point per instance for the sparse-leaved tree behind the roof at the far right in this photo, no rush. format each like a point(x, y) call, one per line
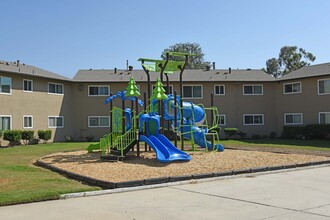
point(290, 59)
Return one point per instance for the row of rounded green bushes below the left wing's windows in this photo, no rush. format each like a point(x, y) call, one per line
point(15, 136)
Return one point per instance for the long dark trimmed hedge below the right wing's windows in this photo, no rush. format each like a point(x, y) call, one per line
point(312, 131)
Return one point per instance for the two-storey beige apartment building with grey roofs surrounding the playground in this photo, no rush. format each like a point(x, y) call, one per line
point(250, 100)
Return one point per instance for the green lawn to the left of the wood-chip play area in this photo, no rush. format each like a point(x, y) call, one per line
point(21, 181)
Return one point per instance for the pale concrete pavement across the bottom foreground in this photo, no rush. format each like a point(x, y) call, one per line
point(300, 194)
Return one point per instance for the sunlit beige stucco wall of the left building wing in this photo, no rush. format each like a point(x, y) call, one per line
point(39, 104)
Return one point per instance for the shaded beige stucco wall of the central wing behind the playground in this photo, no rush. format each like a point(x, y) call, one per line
point(233, 104)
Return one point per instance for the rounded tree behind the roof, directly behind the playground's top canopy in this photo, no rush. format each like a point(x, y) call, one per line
point(195, 62)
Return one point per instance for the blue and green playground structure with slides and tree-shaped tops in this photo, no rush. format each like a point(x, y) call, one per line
point(186, 120)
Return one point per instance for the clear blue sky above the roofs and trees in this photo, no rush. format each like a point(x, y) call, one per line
point(63, 36)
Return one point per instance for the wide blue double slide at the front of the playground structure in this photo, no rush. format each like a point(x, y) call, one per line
point(165, 150)
